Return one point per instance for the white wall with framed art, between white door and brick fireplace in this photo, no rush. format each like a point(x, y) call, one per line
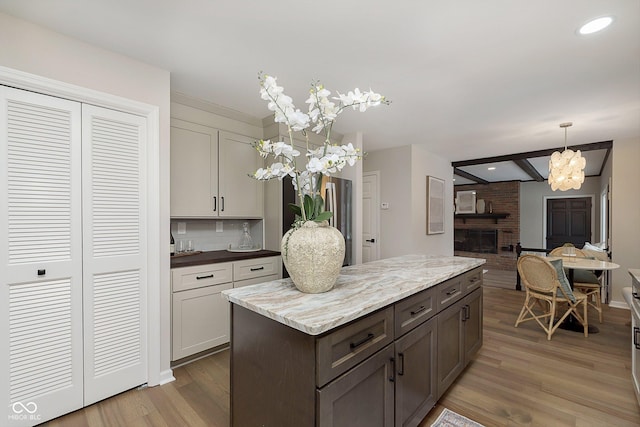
point(403, 175)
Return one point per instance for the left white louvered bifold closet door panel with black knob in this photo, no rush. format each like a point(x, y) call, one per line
point(40, 256)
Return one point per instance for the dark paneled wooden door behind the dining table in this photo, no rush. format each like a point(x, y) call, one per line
point(568, 221)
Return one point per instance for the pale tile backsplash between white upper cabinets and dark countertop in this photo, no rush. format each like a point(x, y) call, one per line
point(203, 234)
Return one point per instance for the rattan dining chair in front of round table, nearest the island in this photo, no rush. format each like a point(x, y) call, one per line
point(547, 288)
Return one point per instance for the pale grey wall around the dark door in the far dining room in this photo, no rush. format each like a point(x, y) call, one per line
point(532, 209)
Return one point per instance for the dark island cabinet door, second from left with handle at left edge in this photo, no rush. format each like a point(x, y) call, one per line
point(416, 374)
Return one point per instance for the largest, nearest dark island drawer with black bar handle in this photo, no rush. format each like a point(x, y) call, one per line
point(351, 344)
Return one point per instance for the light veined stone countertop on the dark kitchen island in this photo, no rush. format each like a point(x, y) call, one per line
point(360, 289)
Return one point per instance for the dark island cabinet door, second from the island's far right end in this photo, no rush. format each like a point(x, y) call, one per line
point(450, 347)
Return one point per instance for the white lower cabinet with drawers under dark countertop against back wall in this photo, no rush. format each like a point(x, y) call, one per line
point(200, 314)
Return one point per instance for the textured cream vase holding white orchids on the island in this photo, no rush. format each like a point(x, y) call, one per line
point(313, 255)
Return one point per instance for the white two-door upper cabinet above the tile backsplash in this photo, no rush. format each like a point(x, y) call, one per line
point(210, 173)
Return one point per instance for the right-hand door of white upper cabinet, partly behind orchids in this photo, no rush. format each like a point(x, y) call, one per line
point(240, 194)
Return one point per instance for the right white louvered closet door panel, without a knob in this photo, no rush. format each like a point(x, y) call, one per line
point(114, 203)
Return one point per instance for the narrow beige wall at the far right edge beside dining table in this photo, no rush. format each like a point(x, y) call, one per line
point(625, 214)
